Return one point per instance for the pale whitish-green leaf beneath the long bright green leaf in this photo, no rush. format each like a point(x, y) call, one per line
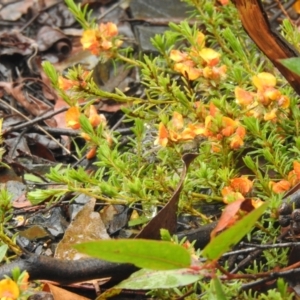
point(147, 279)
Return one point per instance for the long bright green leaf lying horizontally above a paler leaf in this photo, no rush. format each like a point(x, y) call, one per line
point(148, 254)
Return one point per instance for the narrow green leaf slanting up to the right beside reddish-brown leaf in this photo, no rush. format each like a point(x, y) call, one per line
point(231, 236)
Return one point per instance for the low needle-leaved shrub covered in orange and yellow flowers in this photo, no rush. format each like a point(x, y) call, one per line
point(204, 93)
